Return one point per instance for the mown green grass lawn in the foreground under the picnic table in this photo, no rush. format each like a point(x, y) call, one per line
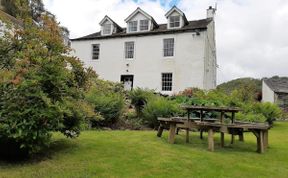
point(142, 154)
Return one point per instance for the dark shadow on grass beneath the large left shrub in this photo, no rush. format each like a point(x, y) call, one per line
point(56, 147)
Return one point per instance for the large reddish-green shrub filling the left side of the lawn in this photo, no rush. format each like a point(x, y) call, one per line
point(42, 87)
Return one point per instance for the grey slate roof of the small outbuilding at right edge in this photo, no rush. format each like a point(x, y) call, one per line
point(278, 84)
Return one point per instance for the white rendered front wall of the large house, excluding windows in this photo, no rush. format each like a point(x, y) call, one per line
point(148, 64)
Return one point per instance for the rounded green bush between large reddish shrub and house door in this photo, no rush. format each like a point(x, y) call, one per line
point(107, 99)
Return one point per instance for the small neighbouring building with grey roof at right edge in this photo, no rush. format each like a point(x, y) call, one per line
point(275, 90)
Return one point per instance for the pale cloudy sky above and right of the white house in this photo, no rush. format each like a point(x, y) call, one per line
point(251, 35)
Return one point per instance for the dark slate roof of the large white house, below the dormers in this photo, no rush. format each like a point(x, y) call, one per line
point(196, 25)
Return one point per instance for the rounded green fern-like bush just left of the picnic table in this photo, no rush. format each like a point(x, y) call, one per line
point(159, 107)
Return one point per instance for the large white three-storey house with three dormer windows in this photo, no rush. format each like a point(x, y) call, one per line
point(165, 57)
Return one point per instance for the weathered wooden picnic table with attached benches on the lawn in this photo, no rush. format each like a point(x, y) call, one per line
point(260, 130)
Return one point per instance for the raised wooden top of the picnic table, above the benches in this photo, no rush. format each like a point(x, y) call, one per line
point(210, 108)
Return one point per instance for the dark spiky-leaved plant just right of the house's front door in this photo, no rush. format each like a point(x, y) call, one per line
point(139, 98)
